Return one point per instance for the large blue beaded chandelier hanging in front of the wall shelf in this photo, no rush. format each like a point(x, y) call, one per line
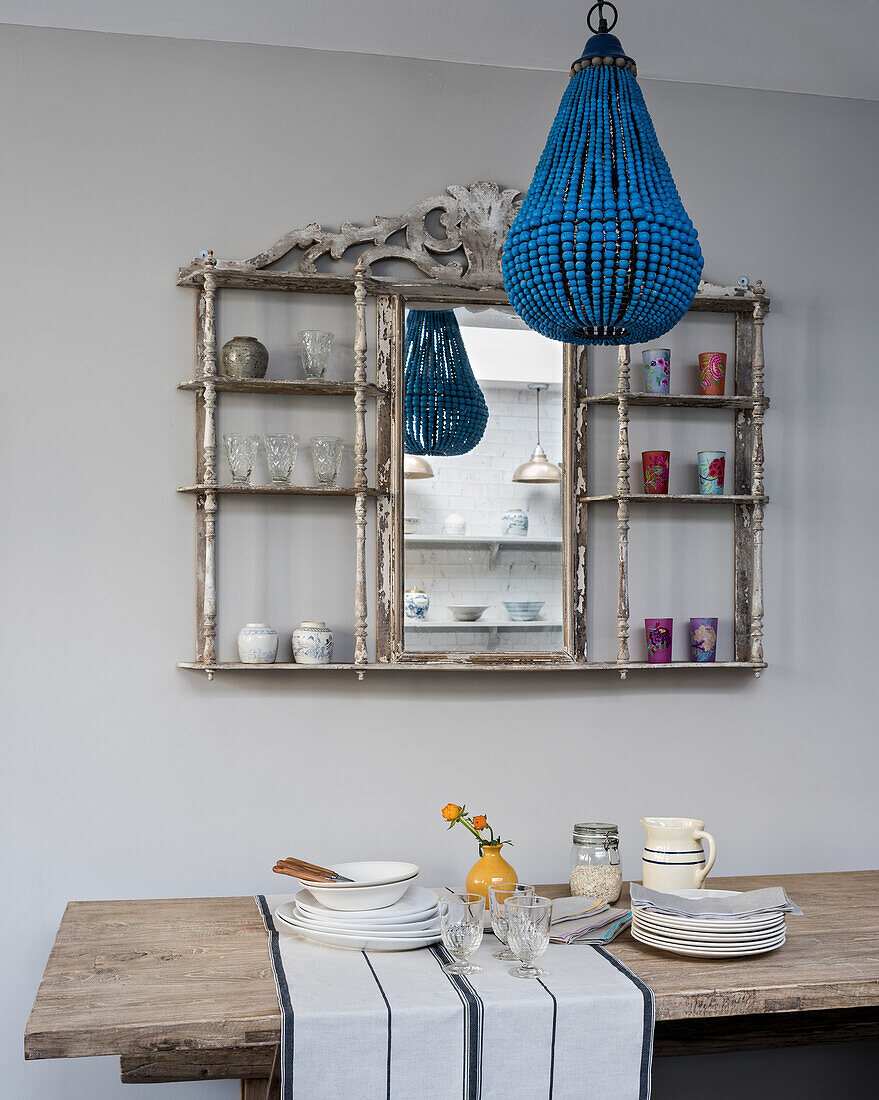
point(602, 251)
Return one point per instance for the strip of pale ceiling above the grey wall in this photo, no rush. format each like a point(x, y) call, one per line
point(818, 47)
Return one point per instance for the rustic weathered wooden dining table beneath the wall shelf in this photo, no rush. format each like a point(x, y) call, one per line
point(182, 991)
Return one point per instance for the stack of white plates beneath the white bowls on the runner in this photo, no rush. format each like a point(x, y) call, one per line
point(411, 922)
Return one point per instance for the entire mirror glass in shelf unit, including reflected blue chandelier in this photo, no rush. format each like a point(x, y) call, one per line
point(482, 529)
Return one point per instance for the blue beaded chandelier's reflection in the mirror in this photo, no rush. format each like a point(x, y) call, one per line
point(445, 409)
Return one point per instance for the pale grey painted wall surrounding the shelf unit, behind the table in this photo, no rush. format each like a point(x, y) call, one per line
point(126, 777)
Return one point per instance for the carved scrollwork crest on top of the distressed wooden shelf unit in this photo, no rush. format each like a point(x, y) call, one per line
point(476, 222)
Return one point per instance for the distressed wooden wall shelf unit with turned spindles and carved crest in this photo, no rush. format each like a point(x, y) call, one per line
point(463, 267)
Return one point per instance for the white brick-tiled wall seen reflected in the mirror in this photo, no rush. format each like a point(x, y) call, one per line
point(479, 487)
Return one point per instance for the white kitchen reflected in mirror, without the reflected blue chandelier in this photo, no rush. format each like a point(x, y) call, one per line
point(482, 552)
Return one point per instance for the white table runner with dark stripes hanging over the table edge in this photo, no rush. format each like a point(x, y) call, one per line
point(387, 1026)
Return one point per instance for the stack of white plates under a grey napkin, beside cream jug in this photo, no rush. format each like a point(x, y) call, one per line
point(709, 938)
